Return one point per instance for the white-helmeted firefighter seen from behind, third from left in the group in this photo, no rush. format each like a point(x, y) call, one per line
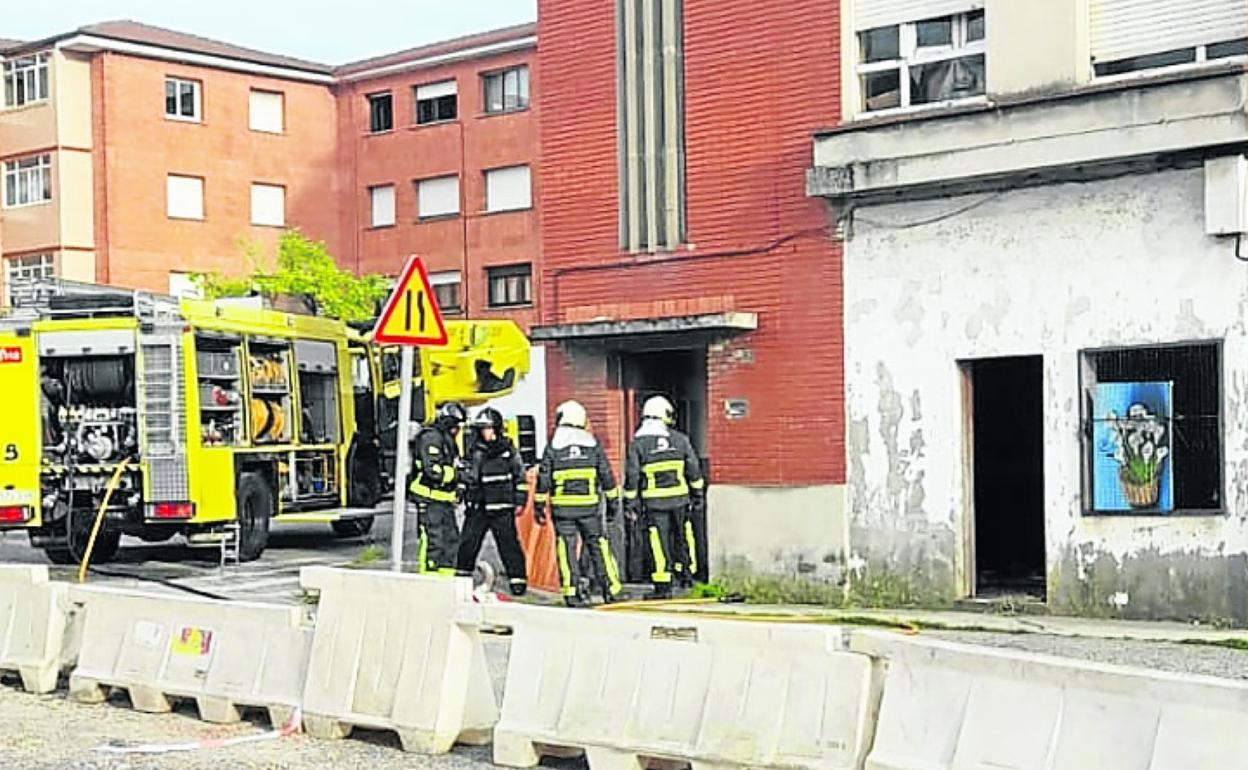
point(573, 476)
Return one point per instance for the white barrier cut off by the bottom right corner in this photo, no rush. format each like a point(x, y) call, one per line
point(953, 707)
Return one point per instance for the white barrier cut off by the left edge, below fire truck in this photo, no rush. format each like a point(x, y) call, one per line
point(34, 618)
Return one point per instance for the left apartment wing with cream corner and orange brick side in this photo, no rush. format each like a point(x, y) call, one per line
point(135, 155)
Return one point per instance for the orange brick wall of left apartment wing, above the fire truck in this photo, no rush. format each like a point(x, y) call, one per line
point(138, 148)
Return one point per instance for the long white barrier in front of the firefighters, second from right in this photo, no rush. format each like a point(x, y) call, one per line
point(630, 690)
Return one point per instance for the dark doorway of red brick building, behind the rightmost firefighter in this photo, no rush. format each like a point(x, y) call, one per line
point(681, 376)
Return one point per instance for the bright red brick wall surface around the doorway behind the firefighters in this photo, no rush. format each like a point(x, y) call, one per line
point(759, 79)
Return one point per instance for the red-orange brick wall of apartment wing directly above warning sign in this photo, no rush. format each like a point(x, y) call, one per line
point(467, 148)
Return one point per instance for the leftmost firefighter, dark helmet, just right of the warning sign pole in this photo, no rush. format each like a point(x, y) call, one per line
point(436, 477)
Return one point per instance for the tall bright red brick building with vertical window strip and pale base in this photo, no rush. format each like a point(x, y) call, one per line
point(683, 256)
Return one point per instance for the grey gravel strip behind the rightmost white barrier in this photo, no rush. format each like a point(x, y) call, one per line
point(1156, 656)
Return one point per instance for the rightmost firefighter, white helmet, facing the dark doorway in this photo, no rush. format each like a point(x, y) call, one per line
point(665, 486)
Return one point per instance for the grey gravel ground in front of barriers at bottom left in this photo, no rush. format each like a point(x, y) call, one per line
point(52, 733)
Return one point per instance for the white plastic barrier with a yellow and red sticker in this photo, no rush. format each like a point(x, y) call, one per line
point(225, 656)
